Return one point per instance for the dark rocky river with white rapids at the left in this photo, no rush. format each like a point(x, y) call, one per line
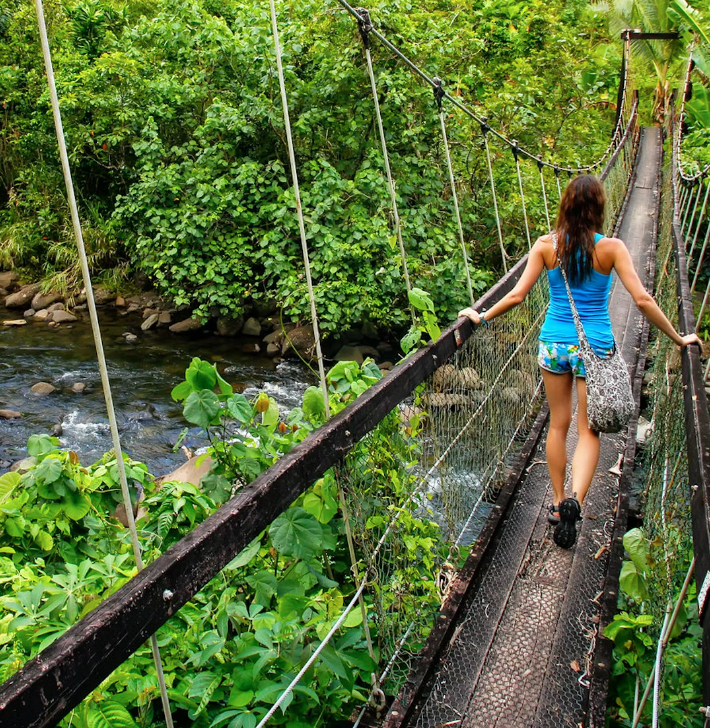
point(142, 376)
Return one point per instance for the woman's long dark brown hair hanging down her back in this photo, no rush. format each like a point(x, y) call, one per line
point(581, 215)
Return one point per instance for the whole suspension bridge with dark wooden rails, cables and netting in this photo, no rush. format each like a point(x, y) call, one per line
point(516, 636)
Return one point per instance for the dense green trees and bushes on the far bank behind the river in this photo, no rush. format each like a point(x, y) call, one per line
point(175, 131)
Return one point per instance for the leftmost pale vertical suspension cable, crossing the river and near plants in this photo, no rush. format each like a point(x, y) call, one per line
point(98, 342)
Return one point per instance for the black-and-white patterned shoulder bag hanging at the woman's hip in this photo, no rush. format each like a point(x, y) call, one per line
point(610, 400)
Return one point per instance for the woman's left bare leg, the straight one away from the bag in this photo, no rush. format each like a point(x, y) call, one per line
point(558, 388)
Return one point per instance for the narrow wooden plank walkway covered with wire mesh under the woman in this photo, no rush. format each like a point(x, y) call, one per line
point(524, 647)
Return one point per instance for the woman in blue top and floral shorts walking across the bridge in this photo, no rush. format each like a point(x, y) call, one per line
point(588, 258)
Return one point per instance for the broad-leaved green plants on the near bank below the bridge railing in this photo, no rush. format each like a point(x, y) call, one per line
point(234, 647)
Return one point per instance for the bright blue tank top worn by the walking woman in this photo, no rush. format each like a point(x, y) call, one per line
point(592, 300)
